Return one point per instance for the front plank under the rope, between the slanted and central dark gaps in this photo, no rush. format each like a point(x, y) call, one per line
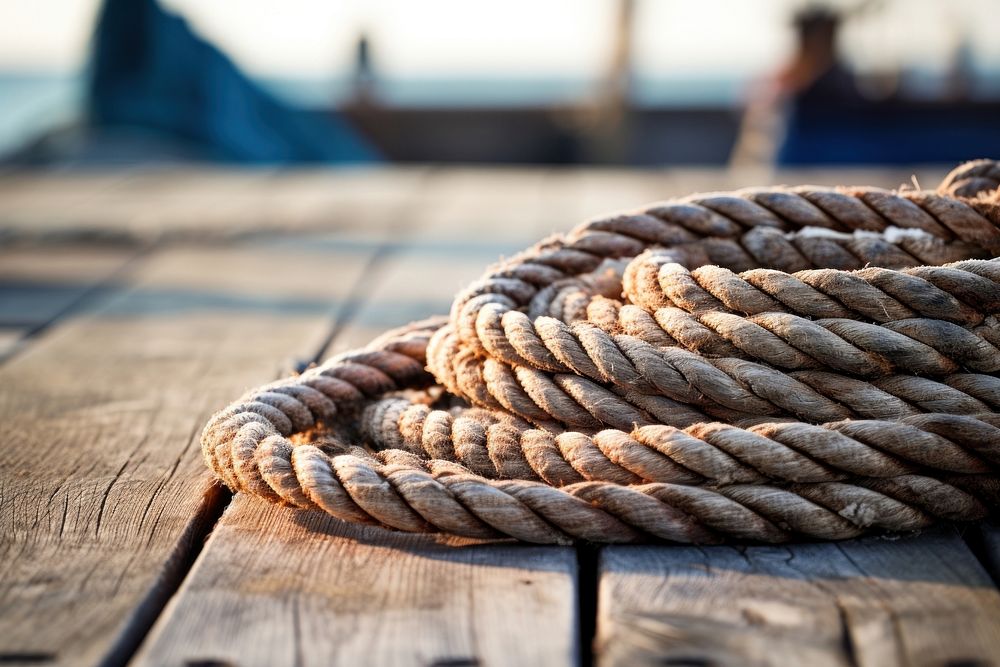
point(278, 587)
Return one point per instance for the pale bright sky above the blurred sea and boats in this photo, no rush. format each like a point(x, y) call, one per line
point(513, 38)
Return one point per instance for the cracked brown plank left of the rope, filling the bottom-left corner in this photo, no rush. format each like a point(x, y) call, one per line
point(103, 492)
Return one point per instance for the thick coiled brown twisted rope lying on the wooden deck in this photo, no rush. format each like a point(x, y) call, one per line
point(762, 365)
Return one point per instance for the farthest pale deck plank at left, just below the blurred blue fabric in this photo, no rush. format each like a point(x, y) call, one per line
point(202, 203)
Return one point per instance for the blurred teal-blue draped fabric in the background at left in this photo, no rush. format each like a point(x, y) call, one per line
point(150, 71)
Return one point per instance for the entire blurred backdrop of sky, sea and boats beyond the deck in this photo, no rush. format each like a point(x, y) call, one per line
point(615, 82)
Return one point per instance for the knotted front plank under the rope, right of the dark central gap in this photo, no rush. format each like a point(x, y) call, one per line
point(921, 600)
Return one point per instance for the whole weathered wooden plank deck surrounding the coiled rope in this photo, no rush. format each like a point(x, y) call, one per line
point(134, 304)
